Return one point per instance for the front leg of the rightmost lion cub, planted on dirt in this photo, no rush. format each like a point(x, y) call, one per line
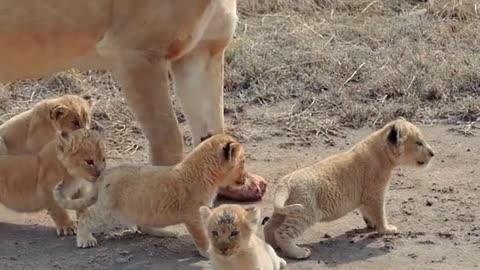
point(374, 209)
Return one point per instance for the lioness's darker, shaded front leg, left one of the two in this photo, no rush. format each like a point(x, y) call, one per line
point(145, 85)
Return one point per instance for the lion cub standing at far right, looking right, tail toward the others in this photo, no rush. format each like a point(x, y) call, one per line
point(335, 186)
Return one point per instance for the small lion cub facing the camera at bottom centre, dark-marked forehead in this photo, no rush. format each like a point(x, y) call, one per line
point(234, 244)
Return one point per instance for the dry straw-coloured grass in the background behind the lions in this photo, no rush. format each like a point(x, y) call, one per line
point(330, 63)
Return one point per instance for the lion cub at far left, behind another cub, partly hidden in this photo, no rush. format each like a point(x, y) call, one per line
point(30, 130)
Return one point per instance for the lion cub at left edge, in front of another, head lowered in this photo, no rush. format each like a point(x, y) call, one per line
point(27, 181)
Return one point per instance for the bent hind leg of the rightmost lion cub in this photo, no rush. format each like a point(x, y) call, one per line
point(292, 228)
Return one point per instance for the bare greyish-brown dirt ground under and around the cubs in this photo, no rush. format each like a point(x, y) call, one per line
point(436, 210)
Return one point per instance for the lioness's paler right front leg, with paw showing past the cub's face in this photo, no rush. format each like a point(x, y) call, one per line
point(198, 80)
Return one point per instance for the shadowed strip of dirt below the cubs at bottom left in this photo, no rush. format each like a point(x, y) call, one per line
point(32, 247)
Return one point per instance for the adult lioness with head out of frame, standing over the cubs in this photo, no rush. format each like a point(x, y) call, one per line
point(140, 41)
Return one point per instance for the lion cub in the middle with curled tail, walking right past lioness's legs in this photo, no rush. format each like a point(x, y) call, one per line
point(159, 196)
